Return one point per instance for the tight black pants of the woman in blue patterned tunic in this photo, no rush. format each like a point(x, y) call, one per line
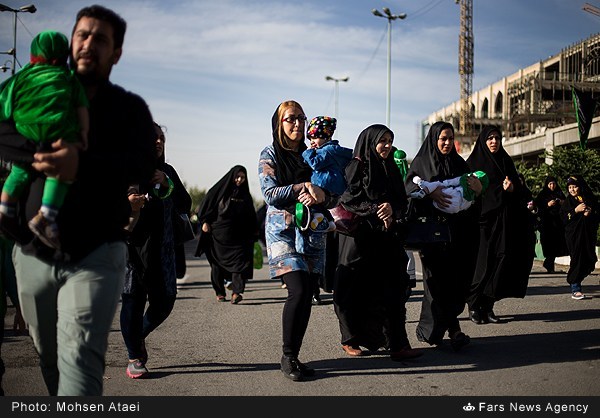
point(296, 310)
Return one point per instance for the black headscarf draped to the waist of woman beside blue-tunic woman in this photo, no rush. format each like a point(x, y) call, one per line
point(371, 179)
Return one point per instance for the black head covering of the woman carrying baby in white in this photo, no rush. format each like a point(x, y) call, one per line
point(430, 164)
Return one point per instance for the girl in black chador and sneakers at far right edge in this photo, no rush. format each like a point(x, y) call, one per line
point(580, 214)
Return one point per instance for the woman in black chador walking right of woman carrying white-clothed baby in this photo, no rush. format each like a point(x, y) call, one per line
point(506, 235)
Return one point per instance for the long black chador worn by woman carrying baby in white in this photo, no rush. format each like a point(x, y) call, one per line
point(447, 268)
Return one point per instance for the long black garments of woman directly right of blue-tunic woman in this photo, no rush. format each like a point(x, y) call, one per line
point(371, 280)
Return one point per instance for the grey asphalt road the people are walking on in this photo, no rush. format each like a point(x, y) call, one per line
point(548, 344)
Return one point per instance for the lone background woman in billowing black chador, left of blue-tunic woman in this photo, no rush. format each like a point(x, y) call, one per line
point(228, 232)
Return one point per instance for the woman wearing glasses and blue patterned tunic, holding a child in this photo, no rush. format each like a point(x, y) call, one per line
point(296, 258)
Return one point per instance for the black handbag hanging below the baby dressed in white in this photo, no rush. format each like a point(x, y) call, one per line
point(426, 230)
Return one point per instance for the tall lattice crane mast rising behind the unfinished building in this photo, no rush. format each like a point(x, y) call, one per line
point(465, 68)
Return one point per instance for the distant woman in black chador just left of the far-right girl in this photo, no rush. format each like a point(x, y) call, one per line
point(552, 230)
